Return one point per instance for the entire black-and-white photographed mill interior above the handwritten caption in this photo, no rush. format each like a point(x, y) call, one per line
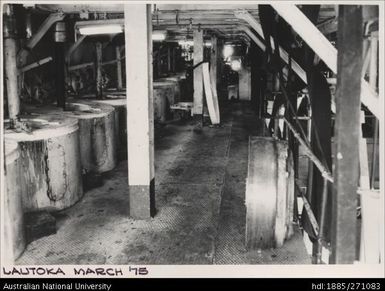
point(191, 134)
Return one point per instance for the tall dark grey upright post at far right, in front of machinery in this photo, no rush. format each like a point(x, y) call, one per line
point(347, 135)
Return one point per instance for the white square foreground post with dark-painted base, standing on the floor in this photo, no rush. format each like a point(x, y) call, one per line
point(140, 122)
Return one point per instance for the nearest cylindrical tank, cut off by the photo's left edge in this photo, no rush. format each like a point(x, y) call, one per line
point(14, 233)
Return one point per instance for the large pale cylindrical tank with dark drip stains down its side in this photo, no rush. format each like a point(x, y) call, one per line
point(50, 176)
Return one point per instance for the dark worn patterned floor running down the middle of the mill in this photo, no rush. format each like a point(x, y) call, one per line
point(200, 186)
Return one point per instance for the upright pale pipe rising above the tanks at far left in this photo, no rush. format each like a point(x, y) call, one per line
point(10, 51)
